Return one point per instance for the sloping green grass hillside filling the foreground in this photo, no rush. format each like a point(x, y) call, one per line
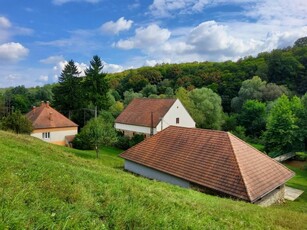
point(46, 186)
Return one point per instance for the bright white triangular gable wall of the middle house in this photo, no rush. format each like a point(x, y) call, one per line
point(176, 111)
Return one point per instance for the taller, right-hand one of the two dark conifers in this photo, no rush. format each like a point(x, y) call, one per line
point(96, 85)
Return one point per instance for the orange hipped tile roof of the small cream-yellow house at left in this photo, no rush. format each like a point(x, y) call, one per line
point(47, 117)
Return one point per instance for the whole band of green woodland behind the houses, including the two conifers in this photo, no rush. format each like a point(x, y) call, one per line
point(261, 99)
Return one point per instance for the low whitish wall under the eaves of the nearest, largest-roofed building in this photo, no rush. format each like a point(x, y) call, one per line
point(155, 174)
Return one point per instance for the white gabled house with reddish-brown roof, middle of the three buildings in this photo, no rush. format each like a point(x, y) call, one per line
point(149, 116)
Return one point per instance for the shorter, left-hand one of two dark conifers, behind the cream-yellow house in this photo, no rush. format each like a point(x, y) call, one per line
point(67, 94)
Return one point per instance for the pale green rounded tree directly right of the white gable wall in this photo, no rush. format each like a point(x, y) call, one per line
point(206, 108)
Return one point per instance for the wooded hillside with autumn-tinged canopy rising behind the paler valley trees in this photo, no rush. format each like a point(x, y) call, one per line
point(286, 67)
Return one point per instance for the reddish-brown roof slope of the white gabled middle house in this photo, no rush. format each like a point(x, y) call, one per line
point(138, 112)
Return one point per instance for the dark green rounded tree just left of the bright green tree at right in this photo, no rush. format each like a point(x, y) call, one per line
point(252, 117)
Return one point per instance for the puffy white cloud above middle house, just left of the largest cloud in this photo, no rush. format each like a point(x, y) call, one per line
point(149, 36)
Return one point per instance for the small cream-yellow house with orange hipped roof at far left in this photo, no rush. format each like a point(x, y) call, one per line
point(51, 126)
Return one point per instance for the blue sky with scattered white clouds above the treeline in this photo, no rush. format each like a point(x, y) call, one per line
point(37, 37)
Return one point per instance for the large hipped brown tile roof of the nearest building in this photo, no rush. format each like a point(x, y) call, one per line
point(214, 159)
